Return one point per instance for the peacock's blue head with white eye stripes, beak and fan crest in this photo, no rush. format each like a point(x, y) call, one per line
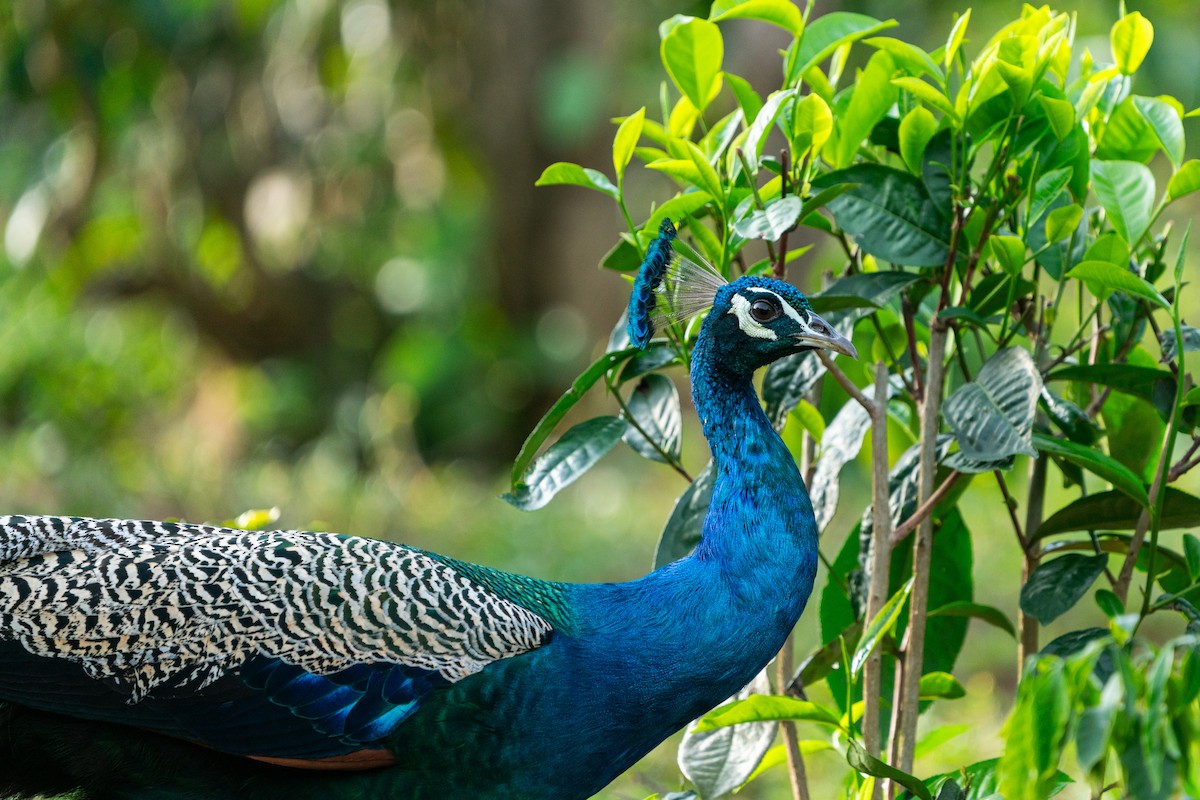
point(752, 322)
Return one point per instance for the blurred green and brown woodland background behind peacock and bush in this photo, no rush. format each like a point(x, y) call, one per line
point(289, 254)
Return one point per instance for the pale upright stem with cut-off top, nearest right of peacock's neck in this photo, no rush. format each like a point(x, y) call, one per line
point(881, 560)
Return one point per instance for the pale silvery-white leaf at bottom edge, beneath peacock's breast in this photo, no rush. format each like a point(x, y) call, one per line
point(717, 762)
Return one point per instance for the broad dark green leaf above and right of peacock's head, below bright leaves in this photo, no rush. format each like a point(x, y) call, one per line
point(890, 215)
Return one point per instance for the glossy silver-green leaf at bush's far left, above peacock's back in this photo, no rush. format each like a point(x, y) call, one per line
point(566, 461)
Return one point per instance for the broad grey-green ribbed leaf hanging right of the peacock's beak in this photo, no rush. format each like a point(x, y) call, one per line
point(993, 417)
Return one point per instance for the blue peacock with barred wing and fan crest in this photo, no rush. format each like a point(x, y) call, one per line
point(171, 660)
